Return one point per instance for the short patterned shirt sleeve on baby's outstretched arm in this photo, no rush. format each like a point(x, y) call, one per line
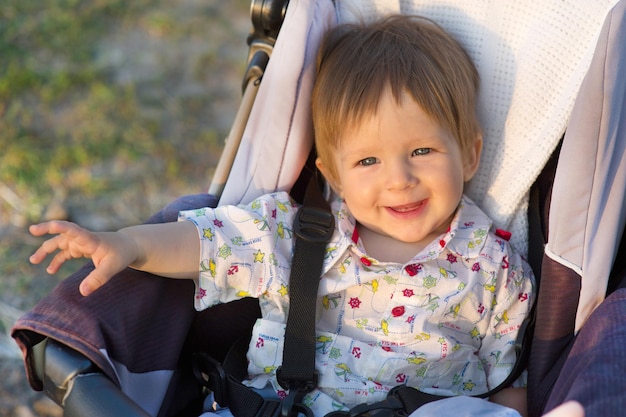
point(245, 251)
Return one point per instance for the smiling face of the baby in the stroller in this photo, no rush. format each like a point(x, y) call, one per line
point(401, 173)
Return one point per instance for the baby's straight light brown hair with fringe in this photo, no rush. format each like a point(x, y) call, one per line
point(358, 61)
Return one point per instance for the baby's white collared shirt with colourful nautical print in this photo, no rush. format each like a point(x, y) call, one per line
point(444, 322)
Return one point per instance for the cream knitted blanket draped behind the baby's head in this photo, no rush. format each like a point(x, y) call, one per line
point(532, 57)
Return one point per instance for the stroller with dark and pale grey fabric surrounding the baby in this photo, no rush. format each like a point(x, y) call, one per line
point(552, 173)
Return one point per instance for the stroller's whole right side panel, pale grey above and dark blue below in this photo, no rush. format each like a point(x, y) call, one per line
point(586, 226)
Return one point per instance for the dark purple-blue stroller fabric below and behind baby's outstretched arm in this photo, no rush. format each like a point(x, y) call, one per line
point(146, 322)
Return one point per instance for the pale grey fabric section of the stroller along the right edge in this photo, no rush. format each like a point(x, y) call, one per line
point(588, 203)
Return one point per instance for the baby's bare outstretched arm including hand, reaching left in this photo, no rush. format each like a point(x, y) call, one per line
point(168, 249)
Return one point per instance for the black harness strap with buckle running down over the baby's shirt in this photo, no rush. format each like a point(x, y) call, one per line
point(313, 228)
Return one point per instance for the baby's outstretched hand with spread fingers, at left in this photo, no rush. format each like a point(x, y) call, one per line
point(110, 252)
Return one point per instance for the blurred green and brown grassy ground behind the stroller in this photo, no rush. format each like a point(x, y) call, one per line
point(109, 109)
